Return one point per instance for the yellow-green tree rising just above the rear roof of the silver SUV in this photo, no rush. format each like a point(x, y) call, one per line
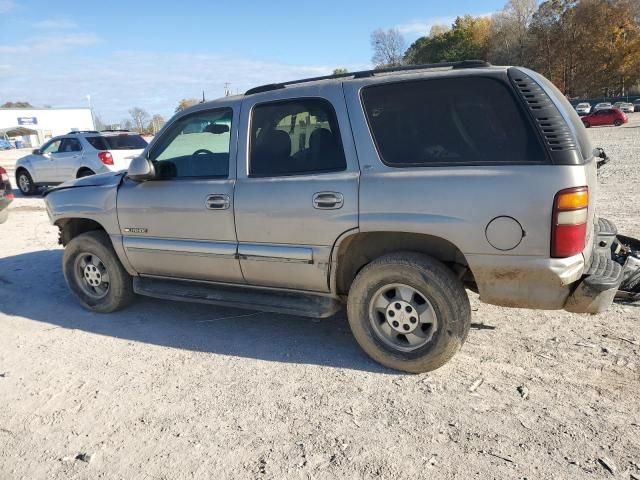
point(467, 39)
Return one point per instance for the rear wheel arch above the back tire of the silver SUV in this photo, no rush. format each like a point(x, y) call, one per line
point(355, 249)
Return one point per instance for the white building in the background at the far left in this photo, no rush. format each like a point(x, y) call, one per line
point(34, 126)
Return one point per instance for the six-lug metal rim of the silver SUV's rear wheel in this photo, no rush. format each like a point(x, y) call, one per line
point(402, 317)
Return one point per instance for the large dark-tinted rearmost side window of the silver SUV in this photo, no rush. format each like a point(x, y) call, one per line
point(466, 120)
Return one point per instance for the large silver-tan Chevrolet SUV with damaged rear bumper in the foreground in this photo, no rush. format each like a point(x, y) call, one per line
point(387, 191)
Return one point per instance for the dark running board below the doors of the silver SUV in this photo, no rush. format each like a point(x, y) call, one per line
point(251, 298)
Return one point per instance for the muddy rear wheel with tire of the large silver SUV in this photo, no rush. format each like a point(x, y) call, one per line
point(409, 312)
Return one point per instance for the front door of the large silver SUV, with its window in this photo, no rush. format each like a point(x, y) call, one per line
point(181, 224)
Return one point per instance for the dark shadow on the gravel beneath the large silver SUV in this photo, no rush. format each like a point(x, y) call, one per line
point(32, 286)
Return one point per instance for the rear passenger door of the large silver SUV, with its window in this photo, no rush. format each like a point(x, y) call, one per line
point(297, 188)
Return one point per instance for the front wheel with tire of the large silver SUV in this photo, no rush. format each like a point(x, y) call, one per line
point(95, 275)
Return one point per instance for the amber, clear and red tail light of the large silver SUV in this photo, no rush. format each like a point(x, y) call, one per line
point(569, 228)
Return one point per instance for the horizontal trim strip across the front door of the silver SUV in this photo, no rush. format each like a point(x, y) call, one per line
point(180, 247)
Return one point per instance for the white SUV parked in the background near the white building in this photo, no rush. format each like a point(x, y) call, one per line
point(75, 155)
